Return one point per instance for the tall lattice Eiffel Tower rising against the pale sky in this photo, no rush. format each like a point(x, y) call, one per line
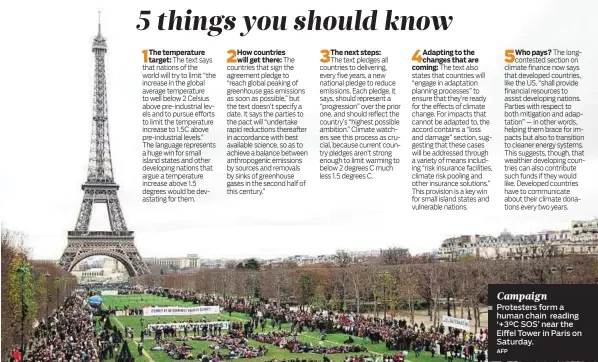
point(101, 188)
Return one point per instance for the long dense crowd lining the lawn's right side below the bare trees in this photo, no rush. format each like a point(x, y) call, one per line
point(395, 334)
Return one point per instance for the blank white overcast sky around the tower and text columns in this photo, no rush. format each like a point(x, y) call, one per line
point(47, 79)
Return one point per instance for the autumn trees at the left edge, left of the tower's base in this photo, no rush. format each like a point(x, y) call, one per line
point(30, 290)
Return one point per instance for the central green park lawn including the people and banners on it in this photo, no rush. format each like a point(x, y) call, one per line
point(332, 346)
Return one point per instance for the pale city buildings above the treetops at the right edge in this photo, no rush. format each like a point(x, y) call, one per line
point(581, 239)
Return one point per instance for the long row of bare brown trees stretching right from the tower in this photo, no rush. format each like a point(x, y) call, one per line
point(384, 286)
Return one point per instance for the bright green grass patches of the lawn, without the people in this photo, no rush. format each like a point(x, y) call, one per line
point(135, 301)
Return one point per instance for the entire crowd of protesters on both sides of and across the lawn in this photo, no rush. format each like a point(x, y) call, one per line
point(70, 335)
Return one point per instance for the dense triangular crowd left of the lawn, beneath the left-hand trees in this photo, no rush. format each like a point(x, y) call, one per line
point(68, 335)
